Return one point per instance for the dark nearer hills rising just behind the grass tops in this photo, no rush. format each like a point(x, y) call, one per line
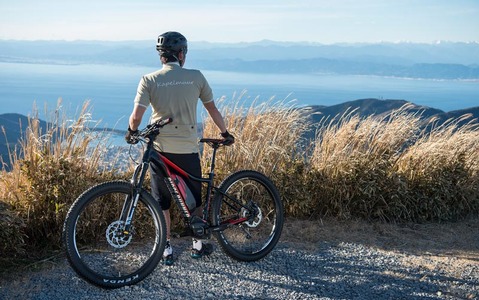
point(12, 124)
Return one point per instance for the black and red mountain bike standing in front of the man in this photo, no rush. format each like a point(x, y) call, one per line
point(115, 232)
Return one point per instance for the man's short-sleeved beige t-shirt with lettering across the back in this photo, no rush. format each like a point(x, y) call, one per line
point(173, 92)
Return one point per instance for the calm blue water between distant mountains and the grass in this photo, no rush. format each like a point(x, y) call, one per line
point(111, 89)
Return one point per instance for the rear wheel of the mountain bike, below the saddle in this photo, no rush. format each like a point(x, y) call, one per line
point(249, 208)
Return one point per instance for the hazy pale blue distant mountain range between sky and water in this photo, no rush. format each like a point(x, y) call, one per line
point(442, 60)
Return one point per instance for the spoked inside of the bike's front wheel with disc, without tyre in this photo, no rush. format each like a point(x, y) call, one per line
point(111, 252)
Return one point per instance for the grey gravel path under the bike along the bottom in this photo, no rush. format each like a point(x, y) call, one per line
point(328, 271)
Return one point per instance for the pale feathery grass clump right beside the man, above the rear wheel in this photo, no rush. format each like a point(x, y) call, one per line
point(266, 134)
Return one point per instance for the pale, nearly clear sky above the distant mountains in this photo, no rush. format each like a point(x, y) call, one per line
point(315, 21)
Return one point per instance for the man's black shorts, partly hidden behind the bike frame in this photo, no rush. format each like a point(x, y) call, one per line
point(188, 162)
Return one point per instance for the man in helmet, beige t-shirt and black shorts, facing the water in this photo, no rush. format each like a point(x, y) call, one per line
point(173, 91)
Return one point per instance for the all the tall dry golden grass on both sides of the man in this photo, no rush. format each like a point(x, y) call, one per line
point(384, 168)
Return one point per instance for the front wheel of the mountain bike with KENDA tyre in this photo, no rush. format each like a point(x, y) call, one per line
point(98, 246)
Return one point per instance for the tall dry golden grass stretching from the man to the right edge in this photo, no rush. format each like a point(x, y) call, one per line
point(387, 168)
